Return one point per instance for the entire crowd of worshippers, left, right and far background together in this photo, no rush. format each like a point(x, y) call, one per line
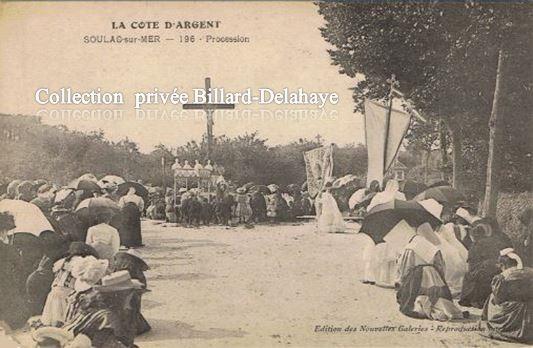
point(77, 275)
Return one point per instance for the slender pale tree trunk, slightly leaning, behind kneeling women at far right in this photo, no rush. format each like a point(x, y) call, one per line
point(493, 163)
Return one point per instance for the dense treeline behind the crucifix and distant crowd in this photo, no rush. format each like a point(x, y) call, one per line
point(32, 150)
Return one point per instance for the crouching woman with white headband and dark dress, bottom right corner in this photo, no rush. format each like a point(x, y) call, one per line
point(508, 314)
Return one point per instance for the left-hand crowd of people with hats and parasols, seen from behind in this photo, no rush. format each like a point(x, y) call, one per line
point(70, 264)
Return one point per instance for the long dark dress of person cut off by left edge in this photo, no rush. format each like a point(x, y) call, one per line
point(12, 305)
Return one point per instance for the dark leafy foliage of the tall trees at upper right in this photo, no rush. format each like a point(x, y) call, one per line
point(445, 58)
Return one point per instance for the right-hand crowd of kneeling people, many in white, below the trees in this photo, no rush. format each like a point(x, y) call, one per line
point(463, 260)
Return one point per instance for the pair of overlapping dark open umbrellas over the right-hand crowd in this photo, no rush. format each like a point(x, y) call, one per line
point(382, 218)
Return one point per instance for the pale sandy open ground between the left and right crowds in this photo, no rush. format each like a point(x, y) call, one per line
point(270, 286)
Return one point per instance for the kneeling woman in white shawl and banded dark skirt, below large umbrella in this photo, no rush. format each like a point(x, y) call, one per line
point(422, 291)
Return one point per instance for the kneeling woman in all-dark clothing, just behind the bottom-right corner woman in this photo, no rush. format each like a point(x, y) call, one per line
point(482, 266)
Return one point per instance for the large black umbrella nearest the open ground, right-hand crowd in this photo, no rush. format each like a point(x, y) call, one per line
point(382, 218)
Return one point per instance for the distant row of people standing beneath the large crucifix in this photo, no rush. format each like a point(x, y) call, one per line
point(229, 205)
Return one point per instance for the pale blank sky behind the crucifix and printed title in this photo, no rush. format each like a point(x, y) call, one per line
point(42, 46)
